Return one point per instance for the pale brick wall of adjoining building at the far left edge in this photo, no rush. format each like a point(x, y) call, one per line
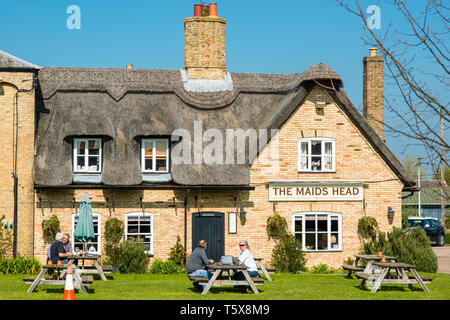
point(12, 82)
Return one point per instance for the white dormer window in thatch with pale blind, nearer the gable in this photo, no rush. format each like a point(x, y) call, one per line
point(155, 155)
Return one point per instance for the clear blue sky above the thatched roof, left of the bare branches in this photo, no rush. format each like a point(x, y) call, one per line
point(261, 37)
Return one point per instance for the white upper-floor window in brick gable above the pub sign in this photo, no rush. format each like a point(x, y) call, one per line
point(316, 154)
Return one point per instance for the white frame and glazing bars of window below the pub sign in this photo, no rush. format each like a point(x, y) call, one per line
point(303, 232)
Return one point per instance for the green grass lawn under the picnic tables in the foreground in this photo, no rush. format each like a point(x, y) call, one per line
point(178, 287)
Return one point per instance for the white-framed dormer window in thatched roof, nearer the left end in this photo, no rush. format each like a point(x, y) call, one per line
point(87, 155)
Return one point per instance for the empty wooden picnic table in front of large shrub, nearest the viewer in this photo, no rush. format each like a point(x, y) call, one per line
point(400, 278)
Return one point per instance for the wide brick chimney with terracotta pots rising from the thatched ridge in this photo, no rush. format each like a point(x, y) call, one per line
point(204, 44)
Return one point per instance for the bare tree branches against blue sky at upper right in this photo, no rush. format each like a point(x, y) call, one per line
point(414, 48)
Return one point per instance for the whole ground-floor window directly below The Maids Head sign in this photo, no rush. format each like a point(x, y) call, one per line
point(318, 231)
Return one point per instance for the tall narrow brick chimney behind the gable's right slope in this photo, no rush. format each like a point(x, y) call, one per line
point(373, 91)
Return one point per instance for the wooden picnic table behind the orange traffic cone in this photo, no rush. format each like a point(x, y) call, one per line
point(79, 282)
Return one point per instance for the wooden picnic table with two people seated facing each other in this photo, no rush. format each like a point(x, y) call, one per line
point(218, 282)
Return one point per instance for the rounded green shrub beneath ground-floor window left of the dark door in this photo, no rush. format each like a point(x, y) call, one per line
point(131, 257)
